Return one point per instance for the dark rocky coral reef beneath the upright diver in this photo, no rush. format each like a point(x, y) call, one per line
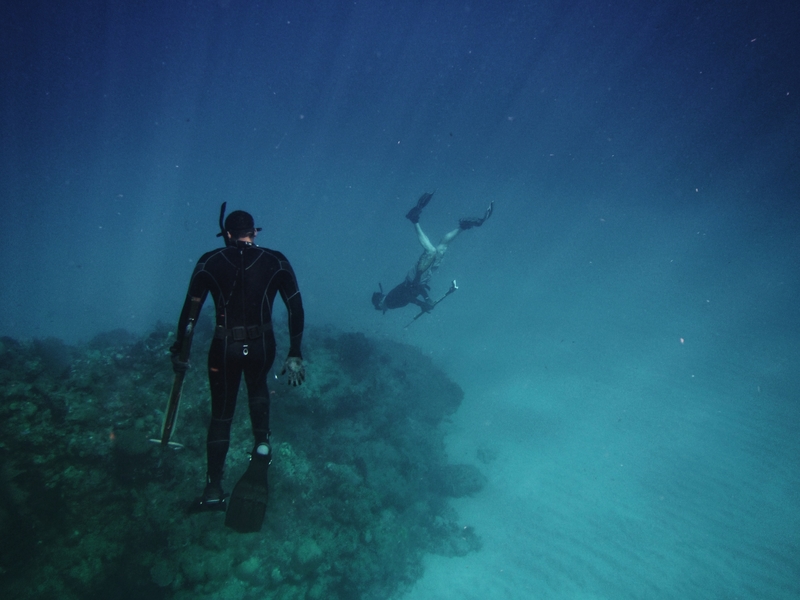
point(359, 483)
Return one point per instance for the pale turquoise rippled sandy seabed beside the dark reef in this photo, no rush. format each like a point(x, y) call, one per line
point(652, 480)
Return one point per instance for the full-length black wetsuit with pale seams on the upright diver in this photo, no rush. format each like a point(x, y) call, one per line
point(243, 280)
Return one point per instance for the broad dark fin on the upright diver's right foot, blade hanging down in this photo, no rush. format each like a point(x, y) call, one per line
point(247, 504)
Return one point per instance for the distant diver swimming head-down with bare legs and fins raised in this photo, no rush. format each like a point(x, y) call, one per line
point(414, 289)
